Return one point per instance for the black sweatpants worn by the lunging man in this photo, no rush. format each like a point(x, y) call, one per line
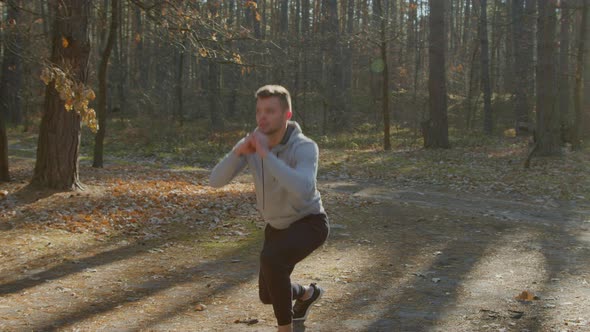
point(283, 248)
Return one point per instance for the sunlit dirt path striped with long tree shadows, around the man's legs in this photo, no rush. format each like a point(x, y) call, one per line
point(397, 260)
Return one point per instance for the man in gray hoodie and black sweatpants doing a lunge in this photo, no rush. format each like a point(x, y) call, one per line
point(284, 165)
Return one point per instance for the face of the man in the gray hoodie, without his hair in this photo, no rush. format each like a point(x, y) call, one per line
point(271, 117)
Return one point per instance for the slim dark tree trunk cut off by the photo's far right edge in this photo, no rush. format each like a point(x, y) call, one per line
point(580, 72)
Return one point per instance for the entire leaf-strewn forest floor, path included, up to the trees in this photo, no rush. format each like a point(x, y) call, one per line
point(458, 240)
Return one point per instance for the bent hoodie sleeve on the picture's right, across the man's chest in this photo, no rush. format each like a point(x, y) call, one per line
point(301, 179)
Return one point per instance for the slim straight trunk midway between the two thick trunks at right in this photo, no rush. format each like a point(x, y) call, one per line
point(485, 69)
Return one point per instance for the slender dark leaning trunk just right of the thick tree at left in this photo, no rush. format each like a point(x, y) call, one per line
point(102, 87)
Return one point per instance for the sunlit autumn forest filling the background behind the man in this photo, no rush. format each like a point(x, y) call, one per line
point(431, 68)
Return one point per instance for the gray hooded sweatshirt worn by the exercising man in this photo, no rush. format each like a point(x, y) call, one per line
point(285, 179)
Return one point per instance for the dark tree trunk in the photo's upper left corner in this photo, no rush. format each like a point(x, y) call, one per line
point(11, 80)
